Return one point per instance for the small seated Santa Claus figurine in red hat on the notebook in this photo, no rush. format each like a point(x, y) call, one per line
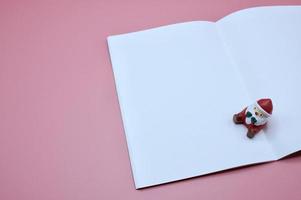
point(255, 116)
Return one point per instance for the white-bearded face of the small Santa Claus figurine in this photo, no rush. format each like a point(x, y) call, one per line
point(255, 116)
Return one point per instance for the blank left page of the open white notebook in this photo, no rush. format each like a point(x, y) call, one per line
point(178, 91)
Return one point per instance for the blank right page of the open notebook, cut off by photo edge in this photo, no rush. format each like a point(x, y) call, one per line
point(265, 43)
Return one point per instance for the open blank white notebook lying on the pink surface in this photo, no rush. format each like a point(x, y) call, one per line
point(179, 86)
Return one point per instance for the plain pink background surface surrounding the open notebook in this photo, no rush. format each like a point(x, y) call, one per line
point(61, 134)
